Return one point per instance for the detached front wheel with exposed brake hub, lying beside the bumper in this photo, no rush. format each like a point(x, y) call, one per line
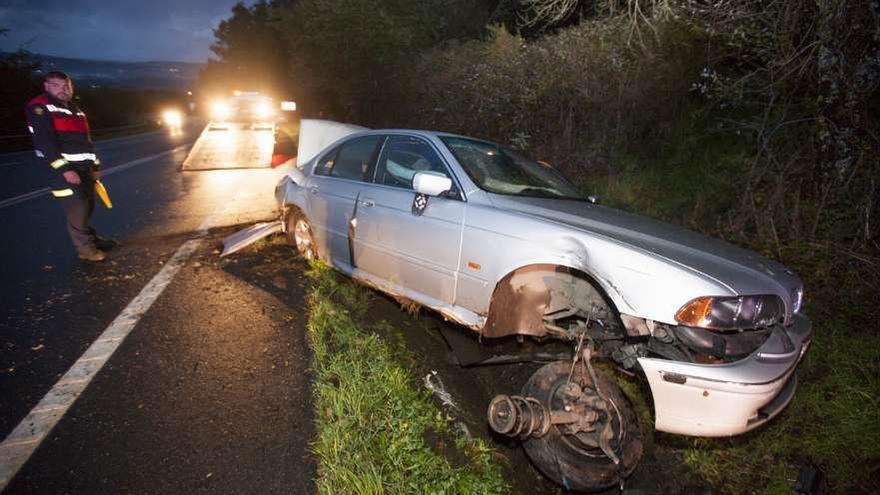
point(571, 455)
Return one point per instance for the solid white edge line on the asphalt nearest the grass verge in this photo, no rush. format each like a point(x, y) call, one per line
point(21, 443)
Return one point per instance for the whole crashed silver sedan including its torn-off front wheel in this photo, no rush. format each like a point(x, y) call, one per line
point(505, 245)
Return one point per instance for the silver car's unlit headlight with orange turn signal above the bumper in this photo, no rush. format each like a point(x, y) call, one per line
point(731, 313)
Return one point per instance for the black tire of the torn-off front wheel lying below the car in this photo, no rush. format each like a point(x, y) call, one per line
point(563, 457)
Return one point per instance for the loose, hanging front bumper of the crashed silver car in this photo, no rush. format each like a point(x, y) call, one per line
point(732, 398)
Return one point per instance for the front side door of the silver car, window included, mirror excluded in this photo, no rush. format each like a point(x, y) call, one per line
point(395, 242)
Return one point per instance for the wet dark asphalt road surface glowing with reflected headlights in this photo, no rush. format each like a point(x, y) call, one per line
point(198, 378)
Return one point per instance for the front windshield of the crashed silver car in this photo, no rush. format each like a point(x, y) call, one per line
point(501, 170)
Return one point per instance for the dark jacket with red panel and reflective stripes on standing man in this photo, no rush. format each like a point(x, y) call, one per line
point(61, 135)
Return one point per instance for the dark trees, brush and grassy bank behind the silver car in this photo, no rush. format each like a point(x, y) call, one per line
point(756, 122)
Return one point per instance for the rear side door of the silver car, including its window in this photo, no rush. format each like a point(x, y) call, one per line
point(333, 190)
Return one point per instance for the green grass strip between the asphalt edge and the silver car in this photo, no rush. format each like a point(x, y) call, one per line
point(373, 423)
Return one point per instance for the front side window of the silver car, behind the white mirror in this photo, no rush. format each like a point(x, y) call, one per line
point(403, 157)
